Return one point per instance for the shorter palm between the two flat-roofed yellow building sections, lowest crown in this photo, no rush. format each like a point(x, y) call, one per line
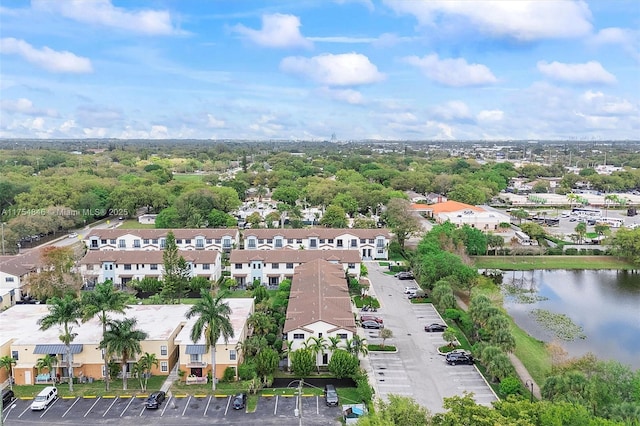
point(123, 339)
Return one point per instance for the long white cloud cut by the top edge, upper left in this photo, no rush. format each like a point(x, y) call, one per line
point(102, 12)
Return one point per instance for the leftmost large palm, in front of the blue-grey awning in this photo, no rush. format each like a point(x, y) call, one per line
point(64, 312)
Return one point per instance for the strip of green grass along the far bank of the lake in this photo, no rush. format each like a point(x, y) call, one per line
point(527, 263)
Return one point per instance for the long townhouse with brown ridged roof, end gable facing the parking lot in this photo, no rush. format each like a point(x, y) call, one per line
point(319, 307)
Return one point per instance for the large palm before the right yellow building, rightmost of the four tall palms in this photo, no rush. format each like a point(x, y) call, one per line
point(212, 323)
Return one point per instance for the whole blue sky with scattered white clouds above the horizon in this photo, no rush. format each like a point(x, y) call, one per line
point(307, 69)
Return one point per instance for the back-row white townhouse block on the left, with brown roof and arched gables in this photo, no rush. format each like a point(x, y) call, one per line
point(220, 239)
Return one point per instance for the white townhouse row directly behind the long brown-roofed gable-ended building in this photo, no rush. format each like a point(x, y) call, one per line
point(271, 267)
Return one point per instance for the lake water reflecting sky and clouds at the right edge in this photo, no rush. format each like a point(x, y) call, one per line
point(606, 304)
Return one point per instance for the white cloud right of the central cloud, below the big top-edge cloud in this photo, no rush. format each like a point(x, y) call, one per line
point(453, 72)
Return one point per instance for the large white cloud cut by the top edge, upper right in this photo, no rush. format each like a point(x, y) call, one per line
point(523, 19)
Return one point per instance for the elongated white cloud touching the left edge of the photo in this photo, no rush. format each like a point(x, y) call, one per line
point(49, 59)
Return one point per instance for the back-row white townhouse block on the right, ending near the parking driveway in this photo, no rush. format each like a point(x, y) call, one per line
point(370, 243)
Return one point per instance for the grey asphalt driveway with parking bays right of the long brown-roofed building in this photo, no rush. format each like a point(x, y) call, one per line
point(417, 370)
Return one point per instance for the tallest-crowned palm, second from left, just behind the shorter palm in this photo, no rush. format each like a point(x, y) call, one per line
point(103, 299)
